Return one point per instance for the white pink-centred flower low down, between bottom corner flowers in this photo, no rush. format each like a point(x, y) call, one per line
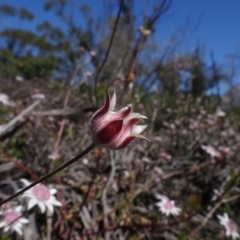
point(167, 206)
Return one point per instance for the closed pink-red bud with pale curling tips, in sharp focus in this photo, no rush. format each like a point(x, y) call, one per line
point(115, 130)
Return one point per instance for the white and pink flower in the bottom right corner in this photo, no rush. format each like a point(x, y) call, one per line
point(230, 226)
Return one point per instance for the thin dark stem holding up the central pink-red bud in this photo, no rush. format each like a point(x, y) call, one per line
point(68, 163)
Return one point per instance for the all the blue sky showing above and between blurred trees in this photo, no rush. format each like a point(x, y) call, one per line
point(213, 24)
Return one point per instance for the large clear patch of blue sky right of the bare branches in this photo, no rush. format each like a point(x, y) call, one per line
point(218, 24)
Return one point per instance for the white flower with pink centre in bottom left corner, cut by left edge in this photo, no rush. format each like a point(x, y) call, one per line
point(12, 220)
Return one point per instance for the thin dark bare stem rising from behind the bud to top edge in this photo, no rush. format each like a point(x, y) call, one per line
point(109, 47)
